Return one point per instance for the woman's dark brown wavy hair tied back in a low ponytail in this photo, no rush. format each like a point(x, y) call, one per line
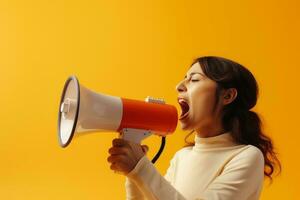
point(244, 124)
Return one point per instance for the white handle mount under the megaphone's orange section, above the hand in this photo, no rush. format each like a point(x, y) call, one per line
point(134, 135)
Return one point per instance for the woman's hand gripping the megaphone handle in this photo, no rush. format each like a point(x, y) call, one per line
point(124, 155)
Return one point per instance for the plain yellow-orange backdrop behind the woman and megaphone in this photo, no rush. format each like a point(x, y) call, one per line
point(132, 49)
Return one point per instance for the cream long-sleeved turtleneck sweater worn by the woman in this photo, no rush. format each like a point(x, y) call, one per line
point(216, 168)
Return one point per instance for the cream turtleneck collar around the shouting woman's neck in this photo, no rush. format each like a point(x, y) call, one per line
point(222, 140)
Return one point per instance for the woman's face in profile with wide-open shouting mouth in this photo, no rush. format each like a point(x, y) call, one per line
point(196, 96)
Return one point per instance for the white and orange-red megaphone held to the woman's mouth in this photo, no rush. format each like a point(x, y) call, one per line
point(82, 111)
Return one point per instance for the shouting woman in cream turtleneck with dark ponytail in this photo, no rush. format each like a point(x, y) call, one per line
point(229, 156)
